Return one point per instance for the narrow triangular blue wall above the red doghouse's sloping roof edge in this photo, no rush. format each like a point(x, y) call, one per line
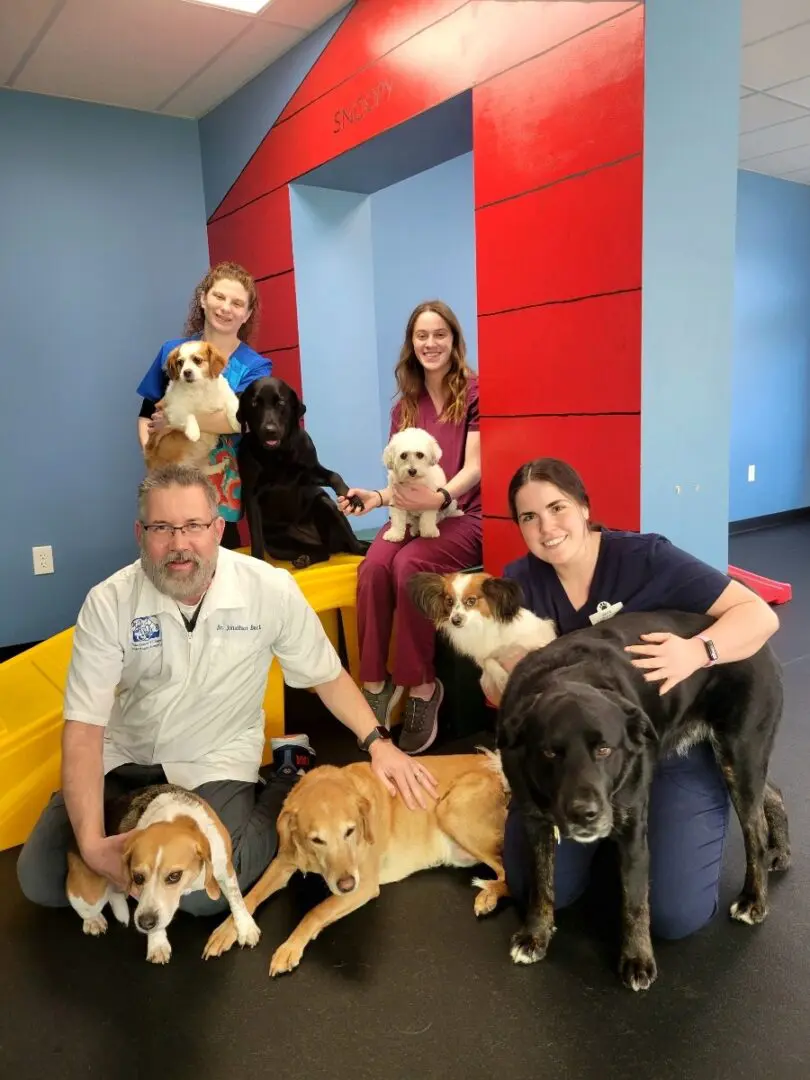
point(232, 133)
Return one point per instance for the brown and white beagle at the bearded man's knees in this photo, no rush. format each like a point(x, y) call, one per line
point(178, 846)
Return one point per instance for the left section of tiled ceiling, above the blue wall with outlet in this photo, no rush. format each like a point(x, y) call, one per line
point(167, 57)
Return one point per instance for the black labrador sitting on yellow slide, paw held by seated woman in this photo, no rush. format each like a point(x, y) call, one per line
point(289, 514)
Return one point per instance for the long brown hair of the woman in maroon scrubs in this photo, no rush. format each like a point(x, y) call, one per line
point(410, 373)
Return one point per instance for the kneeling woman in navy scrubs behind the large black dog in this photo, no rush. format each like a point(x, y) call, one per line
point(574, 573)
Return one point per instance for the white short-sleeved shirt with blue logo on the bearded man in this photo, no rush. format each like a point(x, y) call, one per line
point(193, 703)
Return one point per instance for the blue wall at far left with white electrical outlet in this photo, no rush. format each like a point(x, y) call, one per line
point(103, 228)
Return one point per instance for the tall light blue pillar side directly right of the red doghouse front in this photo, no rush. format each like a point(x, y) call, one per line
point(691, 156)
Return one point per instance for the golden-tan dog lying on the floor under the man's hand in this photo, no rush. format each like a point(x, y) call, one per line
point(343, 825)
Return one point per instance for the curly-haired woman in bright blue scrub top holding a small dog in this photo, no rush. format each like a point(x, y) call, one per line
point(224, 312)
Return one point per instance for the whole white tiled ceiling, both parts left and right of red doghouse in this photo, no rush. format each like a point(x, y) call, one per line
point(184, 59)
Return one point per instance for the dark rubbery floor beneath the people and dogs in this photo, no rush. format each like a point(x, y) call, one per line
point(413, 987)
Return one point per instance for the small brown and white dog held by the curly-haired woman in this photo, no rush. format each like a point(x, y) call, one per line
point(196, 386)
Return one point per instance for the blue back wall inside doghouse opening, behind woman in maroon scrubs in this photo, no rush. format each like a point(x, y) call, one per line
point(424, 238)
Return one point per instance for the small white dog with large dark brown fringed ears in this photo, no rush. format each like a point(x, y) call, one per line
point(481, 616)
